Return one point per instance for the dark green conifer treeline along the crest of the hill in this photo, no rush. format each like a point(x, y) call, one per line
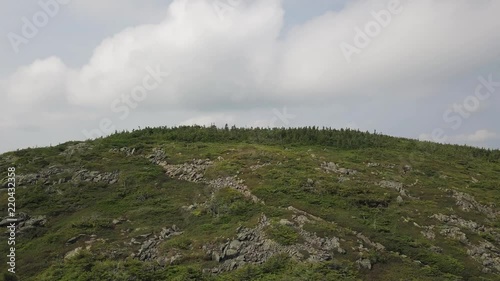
point(324, 136)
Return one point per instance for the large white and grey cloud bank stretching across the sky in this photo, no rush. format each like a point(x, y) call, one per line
point(243, 62)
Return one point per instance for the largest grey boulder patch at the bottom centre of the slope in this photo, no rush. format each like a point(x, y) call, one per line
point(251, 246)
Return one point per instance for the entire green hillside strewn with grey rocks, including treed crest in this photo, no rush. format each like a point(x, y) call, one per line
point(195, 203)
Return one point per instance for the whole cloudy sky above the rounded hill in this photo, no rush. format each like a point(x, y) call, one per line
point(80, 69)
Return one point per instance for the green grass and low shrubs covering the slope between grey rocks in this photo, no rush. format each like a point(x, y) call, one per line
point(150, 200)
